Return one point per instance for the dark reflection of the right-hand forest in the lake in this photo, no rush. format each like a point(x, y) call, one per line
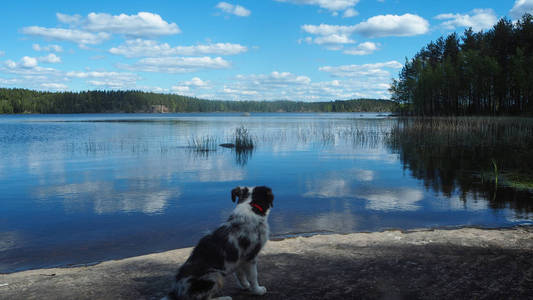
point(470, 158)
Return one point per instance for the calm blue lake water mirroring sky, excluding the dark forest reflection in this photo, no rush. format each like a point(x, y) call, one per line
point(78, 189)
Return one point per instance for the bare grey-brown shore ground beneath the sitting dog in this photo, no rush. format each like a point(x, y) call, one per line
point(463, 263)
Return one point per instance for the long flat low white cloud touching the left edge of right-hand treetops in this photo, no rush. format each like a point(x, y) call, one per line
point(374, 70)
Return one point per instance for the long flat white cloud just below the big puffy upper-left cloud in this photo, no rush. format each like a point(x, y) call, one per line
point(140, 48)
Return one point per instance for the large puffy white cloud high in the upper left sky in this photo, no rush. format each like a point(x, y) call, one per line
point(142, 24)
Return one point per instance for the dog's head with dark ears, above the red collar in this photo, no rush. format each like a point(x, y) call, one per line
point(259, 196)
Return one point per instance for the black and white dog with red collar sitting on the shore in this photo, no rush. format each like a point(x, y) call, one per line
point(232, 248)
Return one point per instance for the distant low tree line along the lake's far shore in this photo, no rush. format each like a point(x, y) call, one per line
point(30, 101)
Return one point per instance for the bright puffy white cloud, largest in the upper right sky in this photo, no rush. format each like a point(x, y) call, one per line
point(392, 25)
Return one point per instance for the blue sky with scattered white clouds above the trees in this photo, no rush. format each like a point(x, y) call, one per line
point(301, 50)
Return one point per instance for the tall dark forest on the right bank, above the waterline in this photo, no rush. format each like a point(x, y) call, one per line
point(478, 73)
